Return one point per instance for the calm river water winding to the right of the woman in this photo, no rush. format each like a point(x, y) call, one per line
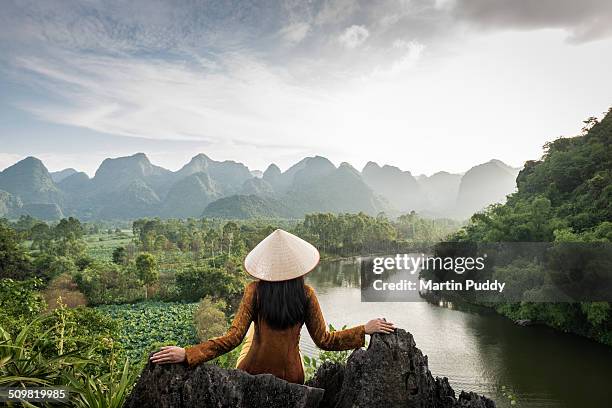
point(478, 351)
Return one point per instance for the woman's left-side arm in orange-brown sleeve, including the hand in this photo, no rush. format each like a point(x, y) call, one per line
point(214, 347)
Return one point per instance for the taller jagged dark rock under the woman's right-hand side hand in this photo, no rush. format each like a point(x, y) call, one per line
point(392, 372)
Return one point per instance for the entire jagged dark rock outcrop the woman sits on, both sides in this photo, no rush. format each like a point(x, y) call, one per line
point(391, 373)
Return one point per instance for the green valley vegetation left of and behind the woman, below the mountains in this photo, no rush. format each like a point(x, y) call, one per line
point(95, 300)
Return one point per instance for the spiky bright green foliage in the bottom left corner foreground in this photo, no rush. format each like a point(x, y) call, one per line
point(34, 358)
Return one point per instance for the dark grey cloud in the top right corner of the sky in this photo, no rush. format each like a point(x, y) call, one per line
point(584, 20)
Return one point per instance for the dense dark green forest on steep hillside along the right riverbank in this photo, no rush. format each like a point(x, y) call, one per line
point(564, 197)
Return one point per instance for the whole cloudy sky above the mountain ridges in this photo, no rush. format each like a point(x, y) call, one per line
point(425, 85)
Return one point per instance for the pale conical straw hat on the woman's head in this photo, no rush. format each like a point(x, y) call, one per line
point(281, 256)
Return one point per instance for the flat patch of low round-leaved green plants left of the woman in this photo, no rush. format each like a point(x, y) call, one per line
point(144, 326)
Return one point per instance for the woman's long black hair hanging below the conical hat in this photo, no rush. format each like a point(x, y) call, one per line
point(282, 304)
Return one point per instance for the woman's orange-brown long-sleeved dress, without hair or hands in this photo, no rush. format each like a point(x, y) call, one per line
point(275, 351)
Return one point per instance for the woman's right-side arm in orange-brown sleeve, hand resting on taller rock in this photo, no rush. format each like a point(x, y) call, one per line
point(343, 339)
